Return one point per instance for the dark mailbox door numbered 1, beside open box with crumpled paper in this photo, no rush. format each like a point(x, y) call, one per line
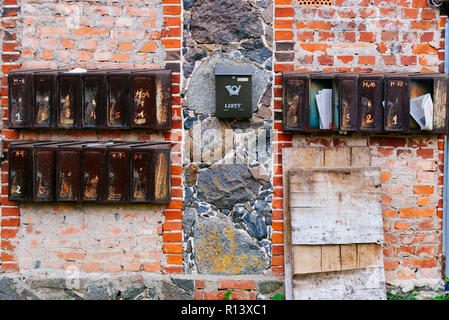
point(397, 103)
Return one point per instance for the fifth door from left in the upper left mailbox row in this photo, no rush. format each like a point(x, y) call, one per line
point(118, 100)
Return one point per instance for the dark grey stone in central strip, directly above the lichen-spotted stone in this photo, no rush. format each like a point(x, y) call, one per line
point(226, 185)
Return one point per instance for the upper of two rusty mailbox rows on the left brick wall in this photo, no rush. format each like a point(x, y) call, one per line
point(70, 99)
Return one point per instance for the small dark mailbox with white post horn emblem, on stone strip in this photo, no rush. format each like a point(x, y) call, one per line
point(233, 90)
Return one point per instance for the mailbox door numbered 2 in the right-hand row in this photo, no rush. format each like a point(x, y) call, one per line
point(370, 103)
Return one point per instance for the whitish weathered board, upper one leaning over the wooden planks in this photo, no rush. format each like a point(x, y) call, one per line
point(336, 206)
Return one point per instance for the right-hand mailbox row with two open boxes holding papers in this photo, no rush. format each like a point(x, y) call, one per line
point(365, 102)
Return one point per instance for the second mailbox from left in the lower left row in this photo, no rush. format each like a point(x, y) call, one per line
point(44, 170)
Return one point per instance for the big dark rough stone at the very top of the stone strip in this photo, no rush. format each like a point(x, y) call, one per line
point(224, 21)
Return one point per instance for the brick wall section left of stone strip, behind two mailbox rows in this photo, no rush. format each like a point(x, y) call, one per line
point(131, 34)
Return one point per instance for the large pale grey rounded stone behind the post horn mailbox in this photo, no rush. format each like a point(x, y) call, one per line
point(201, 92)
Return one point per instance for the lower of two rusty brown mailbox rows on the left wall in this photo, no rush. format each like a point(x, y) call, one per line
point(106, 172)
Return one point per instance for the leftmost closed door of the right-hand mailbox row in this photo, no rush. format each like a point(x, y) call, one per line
point(295, 104)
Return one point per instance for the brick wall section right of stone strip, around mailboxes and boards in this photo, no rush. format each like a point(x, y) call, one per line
point(374, 35)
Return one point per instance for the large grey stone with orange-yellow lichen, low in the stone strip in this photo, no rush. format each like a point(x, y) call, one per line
point(220, 248)
